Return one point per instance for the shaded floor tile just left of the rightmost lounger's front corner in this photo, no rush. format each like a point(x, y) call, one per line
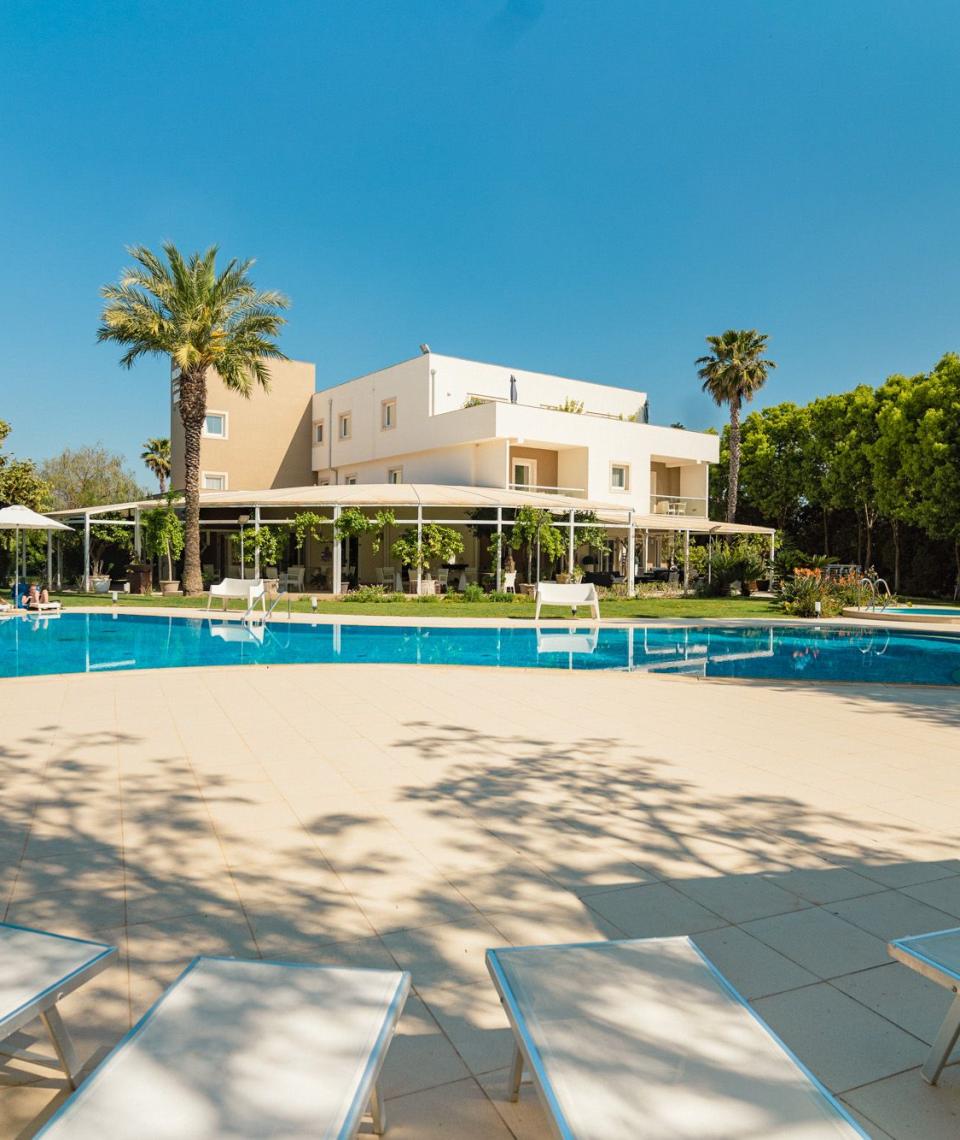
point(820, 942)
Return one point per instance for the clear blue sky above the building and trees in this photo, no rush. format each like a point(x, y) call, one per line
point(587, 189)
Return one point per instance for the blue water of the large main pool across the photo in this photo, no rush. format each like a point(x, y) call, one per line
point(103, 642)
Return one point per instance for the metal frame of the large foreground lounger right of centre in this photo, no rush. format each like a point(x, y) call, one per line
point(526, 1055)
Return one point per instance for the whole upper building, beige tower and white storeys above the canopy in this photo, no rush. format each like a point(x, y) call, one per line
point(443, 420)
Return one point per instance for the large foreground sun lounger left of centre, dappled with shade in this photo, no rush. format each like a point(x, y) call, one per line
point(246, 1051)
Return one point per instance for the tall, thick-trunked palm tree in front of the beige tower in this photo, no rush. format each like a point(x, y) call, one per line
point(184, 310)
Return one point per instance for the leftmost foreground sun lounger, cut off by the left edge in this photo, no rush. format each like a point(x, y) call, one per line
point(37, 971)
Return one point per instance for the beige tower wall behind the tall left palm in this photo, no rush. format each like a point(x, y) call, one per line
point(269, 435)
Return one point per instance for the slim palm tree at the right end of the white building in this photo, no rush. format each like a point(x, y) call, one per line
point(735, 372)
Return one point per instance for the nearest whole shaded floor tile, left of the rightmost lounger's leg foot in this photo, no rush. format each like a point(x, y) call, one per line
point(842, 1043)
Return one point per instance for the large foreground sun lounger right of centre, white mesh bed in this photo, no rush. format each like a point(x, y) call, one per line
point(646, 1039)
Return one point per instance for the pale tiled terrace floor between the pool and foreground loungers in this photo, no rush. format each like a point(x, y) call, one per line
point(381, 816)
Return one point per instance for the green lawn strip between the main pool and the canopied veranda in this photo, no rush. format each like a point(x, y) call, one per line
point(451, 607)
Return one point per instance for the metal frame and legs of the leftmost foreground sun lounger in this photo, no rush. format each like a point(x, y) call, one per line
point(44, 1006)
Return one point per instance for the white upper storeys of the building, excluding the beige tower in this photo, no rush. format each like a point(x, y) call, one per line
point(442, 420)
